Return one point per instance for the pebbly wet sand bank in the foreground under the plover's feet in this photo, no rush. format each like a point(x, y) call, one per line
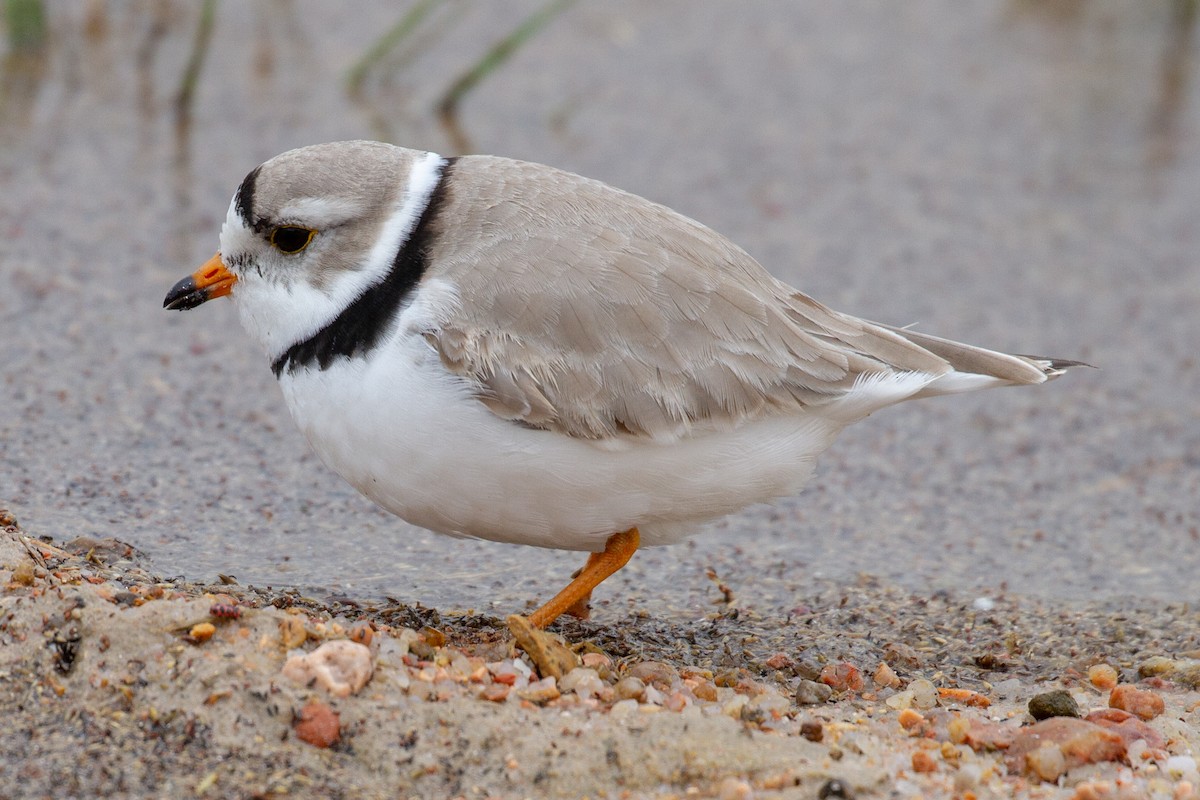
point(116, 683)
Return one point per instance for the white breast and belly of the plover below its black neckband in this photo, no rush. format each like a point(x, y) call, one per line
point(412, 438)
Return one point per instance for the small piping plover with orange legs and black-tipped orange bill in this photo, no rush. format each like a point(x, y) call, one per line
point(503, 351)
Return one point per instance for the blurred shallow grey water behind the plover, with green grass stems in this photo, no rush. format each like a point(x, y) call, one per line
point(1019, 175)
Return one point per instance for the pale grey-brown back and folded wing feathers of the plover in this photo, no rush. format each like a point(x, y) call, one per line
point(638, 323)
